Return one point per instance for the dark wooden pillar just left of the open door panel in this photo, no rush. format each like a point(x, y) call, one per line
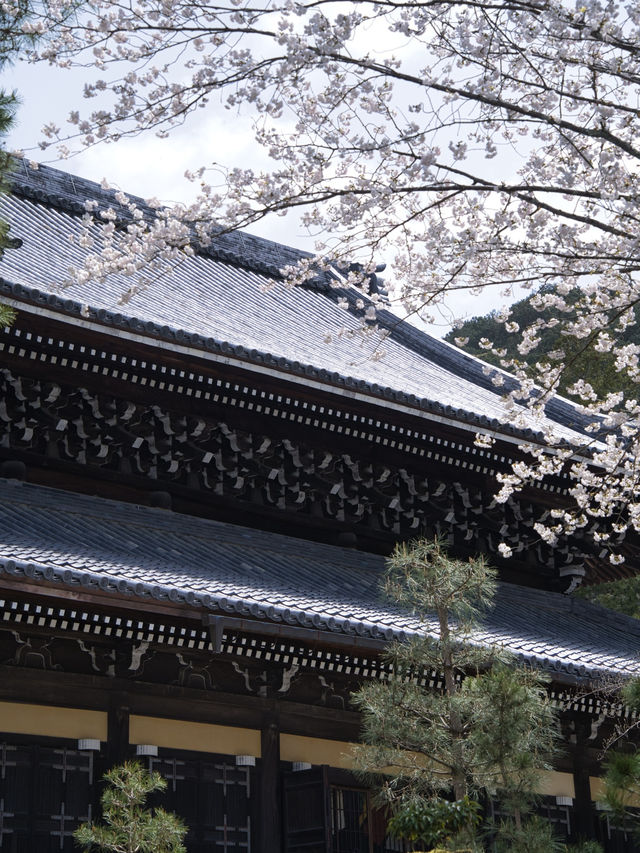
point(270, 796)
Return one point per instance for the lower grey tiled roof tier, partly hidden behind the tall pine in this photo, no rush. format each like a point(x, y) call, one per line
point(154, 554)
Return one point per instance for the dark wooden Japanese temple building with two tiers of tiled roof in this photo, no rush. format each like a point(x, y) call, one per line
point(200, 483)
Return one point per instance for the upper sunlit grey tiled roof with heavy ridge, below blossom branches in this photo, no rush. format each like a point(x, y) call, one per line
point(230, 300)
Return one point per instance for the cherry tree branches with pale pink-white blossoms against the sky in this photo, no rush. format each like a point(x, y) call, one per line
point(471, 144)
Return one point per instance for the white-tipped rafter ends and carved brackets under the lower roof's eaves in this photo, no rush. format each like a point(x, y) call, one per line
point(304, 675)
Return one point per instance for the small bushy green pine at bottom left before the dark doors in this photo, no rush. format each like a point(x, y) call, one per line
point(129, 827)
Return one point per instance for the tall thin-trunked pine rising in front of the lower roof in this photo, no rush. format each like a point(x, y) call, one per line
point(484, 730)
